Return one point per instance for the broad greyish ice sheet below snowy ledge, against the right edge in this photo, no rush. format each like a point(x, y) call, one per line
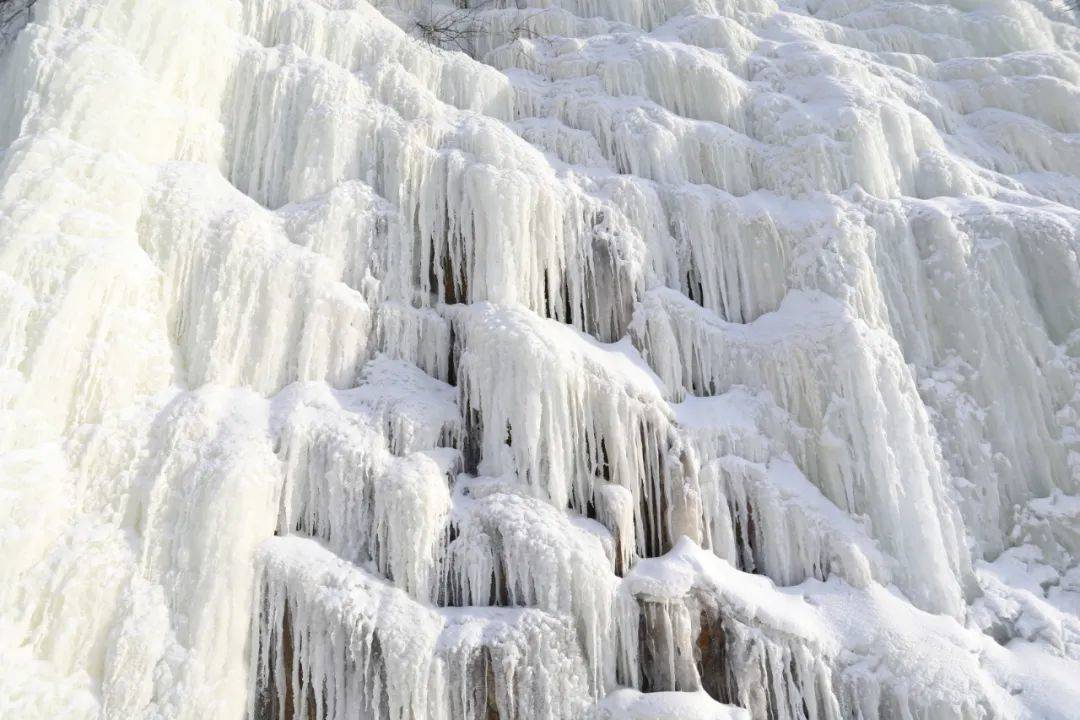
point(982, 336)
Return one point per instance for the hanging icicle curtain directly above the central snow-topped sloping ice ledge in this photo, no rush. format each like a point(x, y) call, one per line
point(524, 236)
